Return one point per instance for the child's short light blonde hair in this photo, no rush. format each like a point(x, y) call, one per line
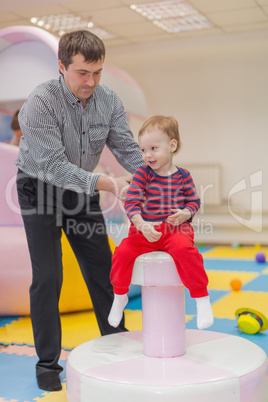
point(166, 124)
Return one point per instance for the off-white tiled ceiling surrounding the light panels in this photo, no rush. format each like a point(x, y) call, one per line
point(115, 16)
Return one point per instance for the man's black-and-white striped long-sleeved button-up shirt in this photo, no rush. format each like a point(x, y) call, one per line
point(62, 141)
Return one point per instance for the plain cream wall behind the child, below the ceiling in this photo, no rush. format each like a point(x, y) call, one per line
point(217, 88)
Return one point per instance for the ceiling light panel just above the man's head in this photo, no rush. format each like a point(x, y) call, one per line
point(62, 23)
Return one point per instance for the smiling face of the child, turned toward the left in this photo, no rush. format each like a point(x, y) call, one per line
point(157, 151)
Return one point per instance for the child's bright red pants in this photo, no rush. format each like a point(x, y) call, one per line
point(178, 241)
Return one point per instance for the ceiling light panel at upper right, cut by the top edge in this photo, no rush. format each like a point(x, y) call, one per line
point(173, 15)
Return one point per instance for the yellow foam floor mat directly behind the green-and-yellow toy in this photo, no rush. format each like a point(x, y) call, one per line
point(227, 305)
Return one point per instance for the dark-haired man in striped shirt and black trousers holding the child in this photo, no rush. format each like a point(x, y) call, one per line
point(65, 125)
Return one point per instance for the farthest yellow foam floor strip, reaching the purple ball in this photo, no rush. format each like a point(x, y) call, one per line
point(235, 253)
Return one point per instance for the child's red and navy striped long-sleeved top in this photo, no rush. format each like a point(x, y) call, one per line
point(158, 194)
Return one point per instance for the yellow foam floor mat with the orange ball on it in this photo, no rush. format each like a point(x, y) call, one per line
point(220, 280)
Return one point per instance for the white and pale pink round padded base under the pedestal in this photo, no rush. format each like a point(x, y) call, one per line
point(215, 367)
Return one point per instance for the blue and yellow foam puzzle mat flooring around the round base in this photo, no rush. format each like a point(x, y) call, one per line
point(17, 353)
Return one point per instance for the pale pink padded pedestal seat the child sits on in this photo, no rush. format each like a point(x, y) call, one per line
point(163, 305)
